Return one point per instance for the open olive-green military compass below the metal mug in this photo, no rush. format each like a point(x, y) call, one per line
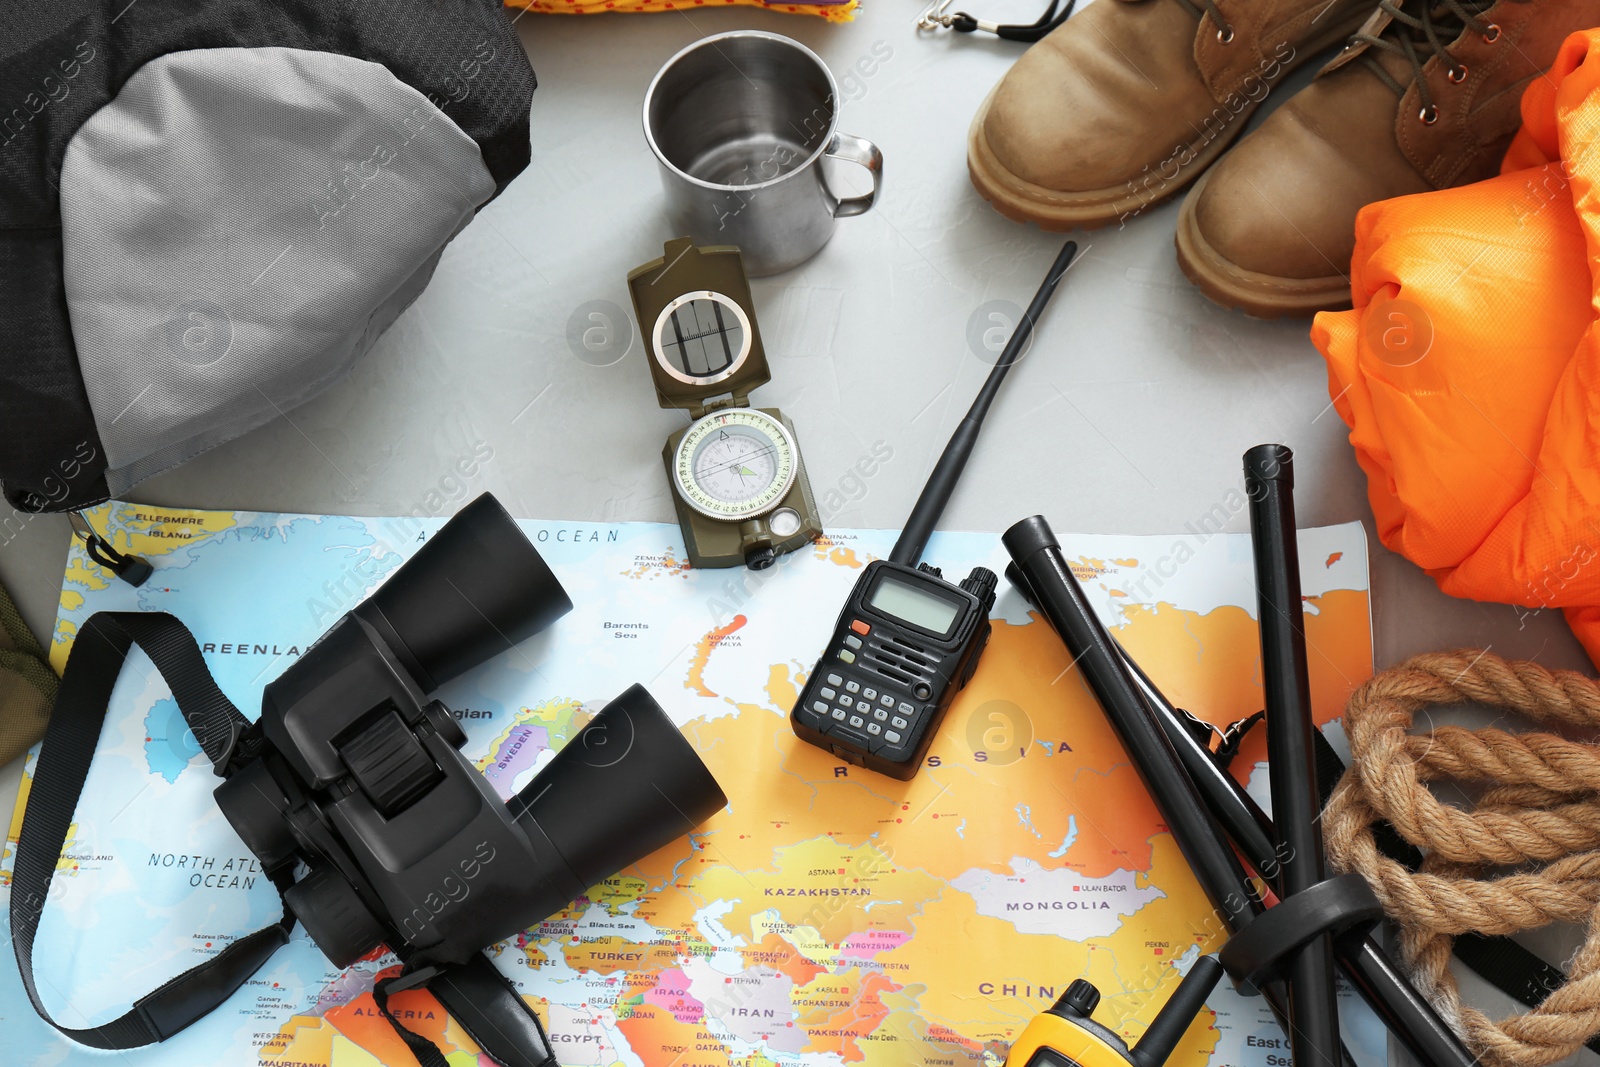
point(740, 487)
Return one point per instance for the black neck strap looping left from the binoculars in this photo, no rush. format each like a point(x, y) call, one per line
point(63, 765)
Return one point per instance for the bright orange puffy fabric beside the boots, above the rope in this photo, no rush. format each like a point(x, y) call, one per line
point(1470, 369)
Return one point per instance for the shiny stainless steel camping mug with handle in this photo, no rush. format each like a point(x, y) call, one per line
point(740, 124)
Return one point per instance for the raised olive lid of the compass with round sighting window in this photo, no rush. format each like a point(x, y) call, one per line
point(698, 321)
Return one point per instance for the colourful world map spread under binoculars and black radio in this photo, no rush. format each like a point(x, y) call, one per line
point(828, 917)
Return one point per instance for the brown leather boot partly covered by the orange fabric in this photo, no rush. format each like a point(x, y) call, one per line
point(1428, 95)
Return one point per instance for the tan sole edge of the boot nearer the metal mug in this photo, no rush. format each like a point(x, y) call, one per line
point(1057, 212)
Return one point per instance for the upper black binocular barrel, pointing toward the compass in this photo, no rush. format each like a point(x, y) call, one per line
point(471, 593)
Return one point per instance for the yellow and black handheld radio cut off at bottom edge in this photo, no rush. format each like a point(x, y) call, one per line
point(1066, 1036)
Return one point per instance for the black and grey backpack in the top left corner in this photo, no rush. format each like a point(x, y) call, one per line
point(210, 210)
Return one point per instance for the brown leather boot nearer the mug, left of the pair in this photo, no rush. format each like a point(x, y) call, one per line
point(1129, 102)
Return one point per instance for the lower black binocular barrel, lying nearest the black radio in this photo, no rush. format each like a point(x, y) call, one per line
point(623, 788)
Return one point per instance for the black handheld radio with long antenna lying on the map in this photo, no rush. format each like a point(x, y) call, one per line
point(908, 641)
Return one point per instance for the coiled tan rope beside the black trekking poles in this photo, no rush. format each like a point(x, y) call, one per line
point(1537, 812)
